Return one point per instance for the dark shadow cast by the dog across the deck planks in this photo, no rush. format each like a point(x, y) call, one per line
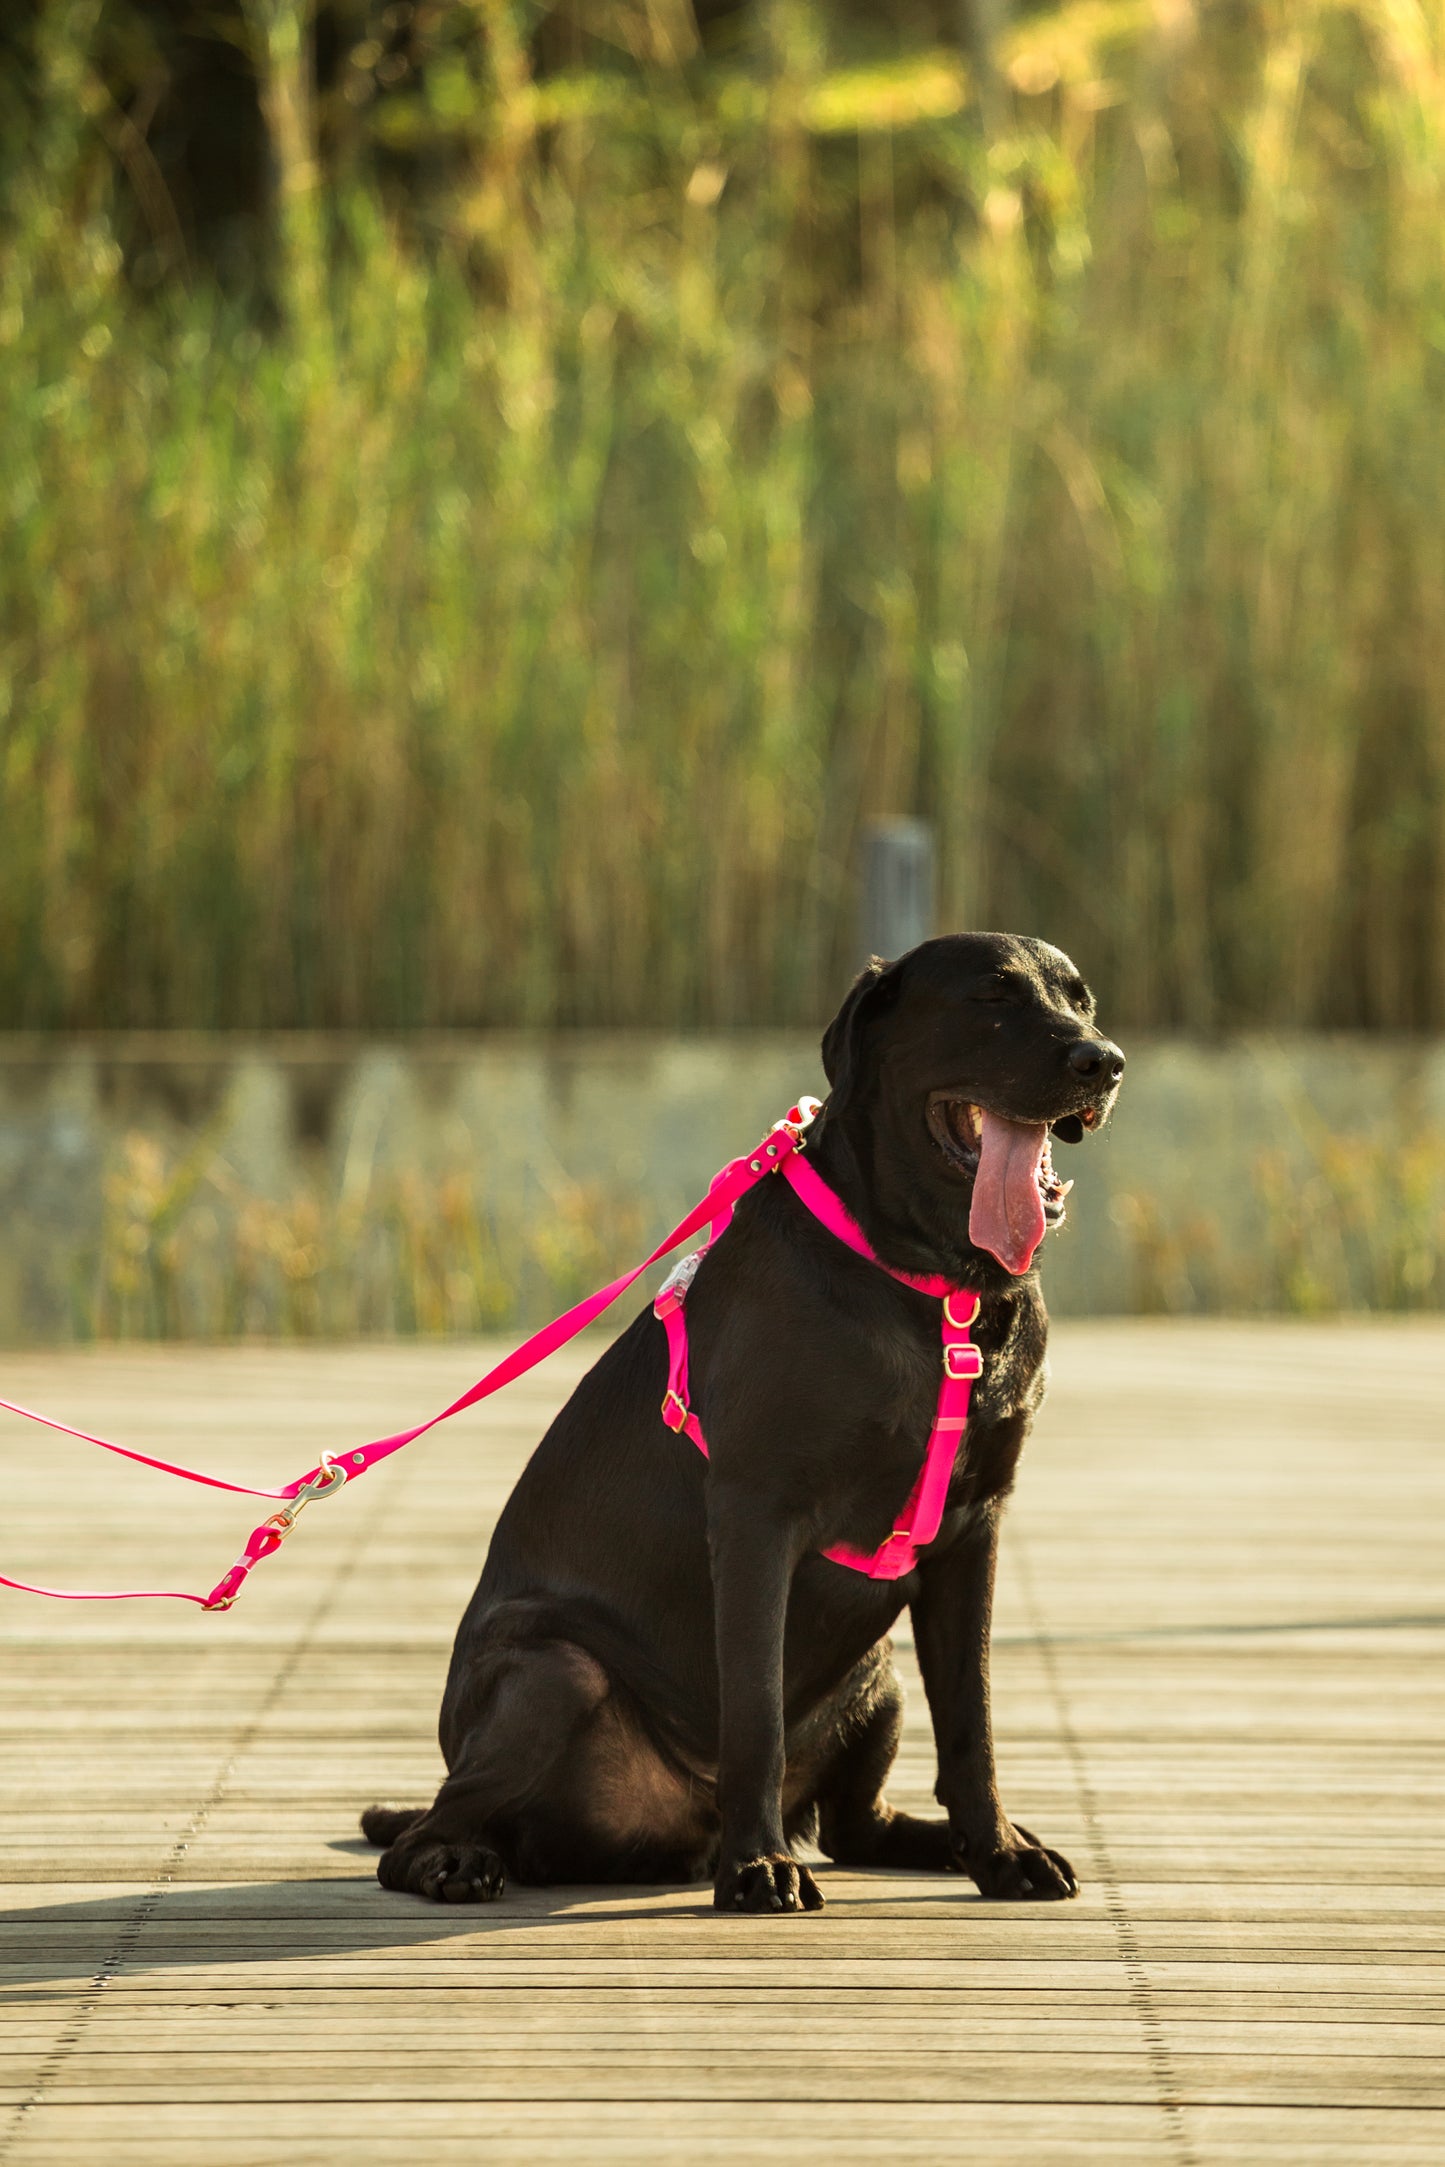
point(200, 1930)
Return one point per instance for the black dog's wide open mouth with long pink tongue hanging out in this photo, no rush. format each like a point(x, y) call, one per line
point(1017, 1195)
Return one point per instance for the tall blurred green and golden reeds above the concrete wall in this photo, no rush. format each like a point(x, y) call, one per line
point(515, 614)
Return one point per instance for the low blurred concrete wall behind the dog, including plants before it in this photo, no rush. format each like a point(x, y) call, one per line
point(196, 1186)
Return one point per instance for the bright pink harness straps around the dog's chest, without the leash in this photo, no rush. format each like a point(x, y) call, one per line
point(963, 1364)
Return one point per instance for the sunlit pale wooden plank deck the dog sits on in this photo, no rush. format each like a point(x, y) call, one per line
point(1219, 1689)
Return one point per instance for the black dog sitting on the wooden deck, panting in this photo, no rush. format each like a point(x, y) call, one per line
point(660, 1678)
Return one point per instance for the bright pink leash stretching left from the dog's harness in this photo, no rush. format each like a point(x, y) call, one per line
point(333, 1475)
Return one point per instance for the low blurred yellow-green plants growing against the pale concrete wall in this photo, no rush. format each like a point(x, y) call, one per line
point(185, 1254)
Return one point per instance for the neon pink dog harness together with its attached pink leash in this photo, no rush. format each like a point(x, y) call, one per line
point(777, 1154)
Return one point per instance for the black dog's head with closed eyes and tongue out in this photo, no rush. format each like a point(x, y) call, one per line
point(952, 1069)
